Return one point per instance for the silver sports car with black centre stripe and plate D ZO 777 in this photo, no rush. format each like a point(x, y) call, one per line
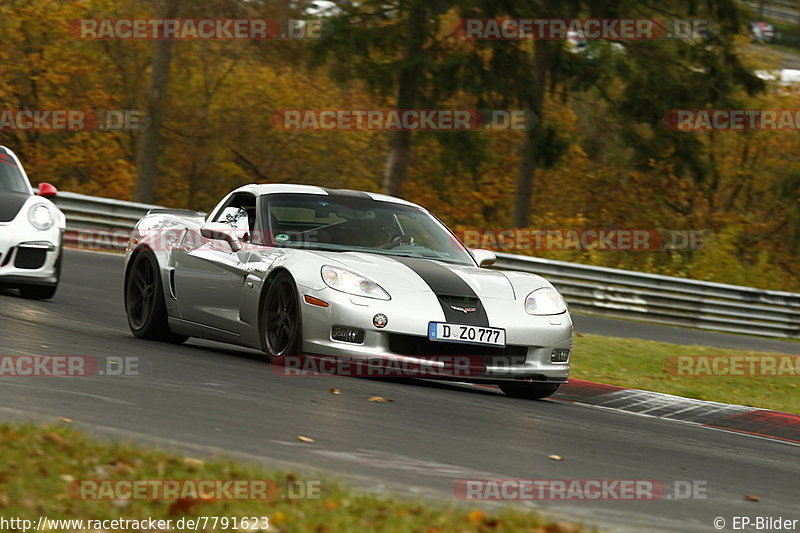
point(304, 271)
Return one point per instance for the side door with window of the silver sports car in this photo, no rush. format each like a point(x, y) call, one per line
point(209, 277)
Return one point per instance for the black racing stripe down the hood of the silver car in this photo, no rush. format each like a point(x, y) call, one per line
point(451, 290)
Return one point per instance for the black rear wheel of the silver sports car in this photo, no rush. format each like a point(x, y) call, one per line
point(144, 301)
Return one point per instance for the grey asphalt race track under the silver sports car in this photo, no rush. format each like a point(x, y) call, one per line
point(204, 397)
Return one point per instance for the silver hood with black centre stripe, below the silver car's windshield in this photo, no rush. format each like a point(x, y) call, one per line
point(414, 274)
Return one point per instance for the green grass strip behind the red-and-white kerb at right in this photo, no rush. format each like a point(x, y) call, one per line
point(642, 364)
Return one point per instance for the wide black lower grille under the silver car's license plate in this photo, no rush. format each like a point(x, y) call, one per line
point(422, 347)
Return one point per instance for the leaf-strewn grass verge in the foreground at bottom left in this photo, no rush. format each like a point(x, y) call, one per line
point(40, 464)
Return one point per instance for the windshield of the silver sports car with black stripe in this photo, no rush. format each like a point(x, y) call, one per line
point(359, 223)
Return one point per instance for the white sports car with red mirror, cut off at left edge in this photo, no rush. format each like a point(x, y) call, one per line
point(31, 232)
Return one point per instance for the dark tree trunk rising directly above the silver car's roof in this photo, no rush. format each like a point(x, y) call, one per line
point(397, 160)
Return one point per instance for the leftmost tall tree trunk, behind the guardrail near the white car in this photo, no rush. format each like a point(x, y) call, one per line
point(148, 149)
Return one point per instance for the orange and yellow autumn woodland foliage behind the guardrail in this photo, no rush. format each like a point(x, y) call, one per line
point(611, 166)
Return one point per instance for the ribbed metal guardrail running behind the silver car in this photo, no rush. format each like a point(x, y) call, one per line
point(105, 223)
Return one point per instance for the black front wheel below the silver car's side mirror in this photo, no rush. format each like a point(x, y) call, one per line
point(280, 317)
